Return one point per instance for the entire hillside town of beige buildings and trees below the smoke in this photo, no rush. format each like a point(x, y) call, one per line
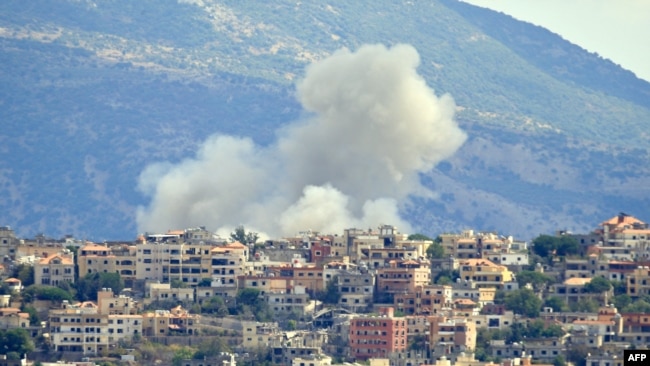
point(363, 296)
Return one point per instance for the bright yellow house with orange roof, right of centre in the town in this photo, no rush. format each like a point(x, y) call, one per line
point(485, 273)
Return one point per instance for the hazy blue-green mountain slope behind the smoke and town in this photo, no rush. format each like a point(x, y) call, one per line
point(93, 92)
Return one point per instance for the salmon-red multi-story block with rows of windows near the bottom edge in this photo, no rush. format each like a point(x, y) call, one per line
point(377, 336)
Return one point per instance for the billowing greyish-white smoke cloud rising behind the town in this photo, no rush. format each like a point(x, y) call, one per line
point(374, 126)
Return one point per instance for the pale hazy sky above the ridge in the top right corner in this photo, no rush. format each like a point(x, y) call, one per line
point(618, 30)
